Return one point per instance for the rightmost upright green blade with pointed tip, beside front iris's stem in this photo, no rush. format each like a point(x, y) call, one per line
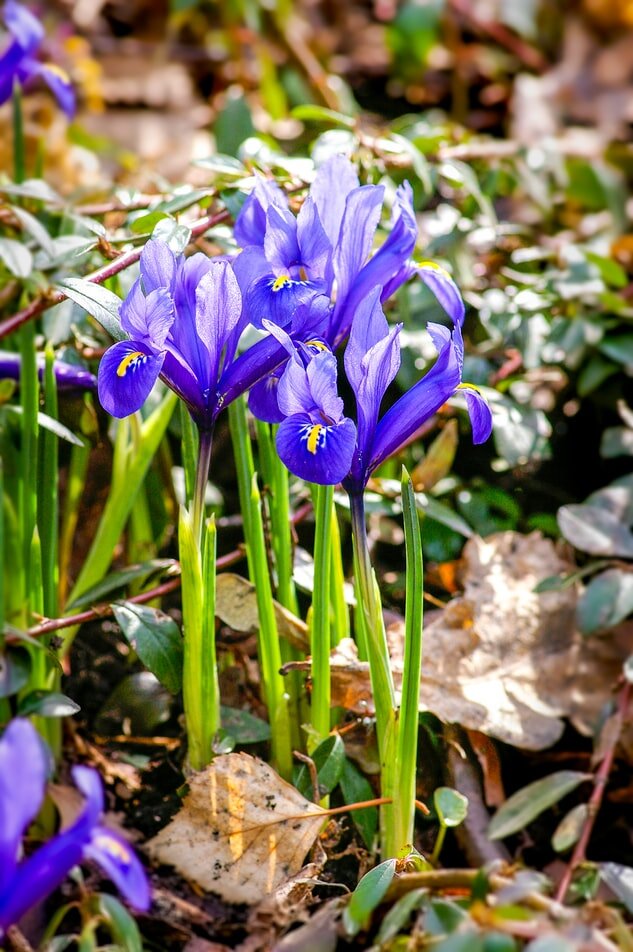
point(407, 743)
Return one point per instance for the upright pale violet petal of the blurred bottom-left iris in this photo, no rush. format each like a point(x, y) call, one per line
point(23, 771)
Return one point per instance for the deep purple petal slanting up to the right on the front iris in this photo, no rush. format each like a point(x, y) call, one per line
point(420, 402)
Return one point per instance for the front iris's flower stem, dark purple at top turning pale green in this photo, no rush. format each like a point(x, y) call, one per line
point(380, 671)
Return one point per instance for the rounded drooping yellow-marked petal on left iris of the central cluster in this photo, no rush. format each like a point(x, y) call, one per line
point(127, 372)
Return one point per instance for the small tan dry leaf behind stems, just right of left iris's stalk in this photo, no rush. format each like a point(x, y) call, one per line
point(236, 606)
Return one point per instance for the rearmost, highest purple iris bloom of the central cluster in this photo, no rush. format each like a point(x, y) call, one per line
point(327, 249)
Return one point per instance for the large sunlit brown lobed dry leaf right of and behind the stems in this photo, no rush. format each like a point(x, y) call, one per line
point(501, 658)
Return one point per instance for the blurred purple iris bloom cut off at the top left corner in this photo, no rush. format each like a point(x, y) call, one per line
point(18, 63)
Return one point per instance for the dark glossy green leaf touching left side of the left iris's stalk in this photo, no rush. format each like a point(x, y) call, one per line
point(155, 638)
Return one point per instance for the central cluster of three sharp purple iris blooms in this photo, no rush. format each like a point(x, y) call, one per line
point(310, 281)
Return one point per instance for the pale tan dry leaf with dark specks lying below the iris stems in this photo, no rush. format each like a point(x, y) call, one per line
point(241, 831)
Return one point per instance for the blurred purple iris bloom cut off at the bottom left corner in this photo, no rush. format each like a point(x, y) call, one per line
point(23, 883)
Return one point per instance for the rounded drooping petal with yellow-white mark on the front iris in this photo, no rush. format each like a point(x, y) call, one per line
point(317, 452)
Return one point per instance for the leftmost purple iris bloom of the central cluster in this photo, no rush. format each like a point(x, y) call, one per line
point(184, 317)
